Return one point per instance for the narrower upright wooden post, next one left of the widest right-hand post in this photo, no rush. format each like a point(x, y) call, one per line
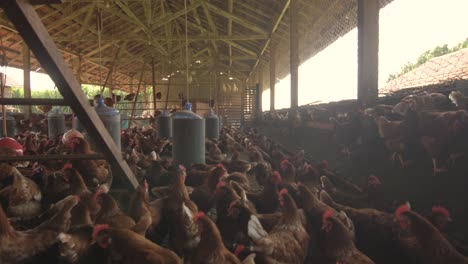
point(294, 52)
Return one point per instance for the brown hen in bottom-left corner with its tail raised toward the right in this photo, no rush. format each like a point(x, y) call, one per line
point(35, 241)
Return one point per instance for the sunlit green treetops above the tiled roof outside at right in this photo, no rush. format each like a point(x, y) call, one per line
point(426, 56)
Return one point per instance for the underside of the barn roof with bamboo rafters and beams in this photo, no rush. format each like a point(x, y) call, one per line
point(224, 35)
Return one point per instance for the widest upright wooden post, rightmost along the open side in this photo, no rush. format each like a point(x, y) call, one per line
point(368, 51)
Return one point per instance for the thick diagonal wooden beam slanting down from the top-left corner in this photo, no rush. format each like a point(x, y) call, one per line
point(30, 26)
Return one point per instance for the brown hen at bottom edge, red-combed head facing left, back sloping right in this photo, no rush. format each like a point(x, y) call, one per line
point(127, 247)
